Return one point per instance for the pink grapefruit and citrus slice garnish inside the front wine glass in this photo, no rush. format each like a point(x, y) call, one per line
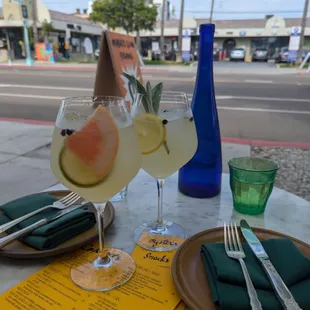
point(88, 155)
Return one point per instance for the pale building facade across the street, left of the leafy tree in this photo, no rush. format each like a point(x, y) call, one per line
point(67, 28)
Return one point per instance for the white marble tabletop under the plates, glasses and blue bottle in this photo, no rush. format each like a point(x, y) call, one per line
point(285, 213)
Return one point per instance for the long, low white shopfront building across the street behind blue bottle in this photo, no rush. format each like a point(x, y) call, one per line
point(272, 33)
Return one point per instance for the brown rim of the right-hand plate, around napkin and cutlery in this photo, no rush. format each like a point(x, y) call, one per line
point(174, 269)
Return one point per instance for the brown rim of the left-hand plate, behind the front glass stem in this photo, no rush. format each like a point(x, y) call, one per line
point(61, 250)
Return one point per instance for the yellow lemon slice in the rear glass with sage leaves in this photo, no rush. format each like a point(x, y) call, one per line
point(151, 132)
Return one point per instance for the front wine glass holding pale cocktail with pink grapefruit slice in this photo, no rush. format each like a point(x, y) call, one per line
point(95, 153)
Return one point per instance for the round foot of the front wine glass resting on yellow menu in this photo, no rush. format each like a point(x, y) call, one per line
point(92, 275)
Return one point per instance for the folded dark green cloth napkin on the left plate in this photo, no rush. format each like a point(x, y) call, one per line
point(52, 234)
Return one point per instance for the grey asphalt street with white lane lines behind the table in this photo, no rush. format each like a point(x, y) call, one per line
point(253, 103)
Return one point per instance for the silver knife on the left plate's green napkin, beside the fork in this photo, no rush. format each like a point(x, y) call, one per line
point(10, 238)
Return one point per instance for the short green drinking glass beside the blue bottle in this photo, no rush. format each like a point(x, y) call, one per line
point(251, 183)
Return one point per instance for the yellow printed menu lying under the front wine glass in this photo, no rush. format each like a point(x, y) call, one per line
point(51, 288)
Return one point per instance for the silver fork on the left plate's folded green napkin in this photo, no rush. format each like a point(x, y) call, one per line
point(60, 204)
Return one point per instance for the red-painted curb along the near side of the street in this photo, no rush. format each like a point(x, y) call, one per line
point(266, 143)
